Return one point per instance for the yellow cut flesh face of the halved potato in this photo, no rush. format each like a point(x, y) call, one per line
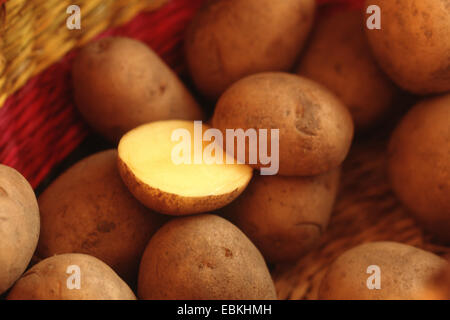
point(147, 151)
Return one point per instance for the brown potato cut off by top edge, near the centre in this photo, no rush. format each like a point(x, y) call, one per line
point(228, 40)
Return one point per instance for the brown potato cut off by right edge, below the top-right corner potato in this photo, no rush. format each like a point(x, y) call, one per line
point(419, 164)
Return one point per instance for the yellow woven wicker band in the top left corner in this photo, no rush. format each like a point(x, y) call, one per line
point(35, 35)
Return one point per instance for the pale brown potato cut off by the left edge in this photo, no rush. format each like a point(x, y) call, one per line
point(19, 225)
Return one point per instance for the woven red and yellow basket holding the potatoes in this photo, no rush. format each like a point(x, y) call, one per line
point(40, 126)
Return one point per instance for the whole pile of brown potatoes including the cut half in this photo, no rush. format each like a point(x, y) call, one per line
point(133, 224)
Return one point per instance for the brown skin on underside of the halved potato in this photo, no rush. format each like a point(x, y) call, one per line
point(170, 203)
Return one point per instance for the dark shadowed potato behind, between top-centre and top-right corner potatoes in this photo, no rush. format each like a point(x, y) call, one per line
point(350, 71)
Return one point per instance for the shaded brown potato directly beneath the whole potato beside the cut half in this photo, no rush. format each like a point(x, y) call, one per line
point(285, 216)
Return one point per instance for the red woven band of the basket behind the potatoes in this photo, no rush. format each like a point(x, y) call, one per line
point(39, 124)
